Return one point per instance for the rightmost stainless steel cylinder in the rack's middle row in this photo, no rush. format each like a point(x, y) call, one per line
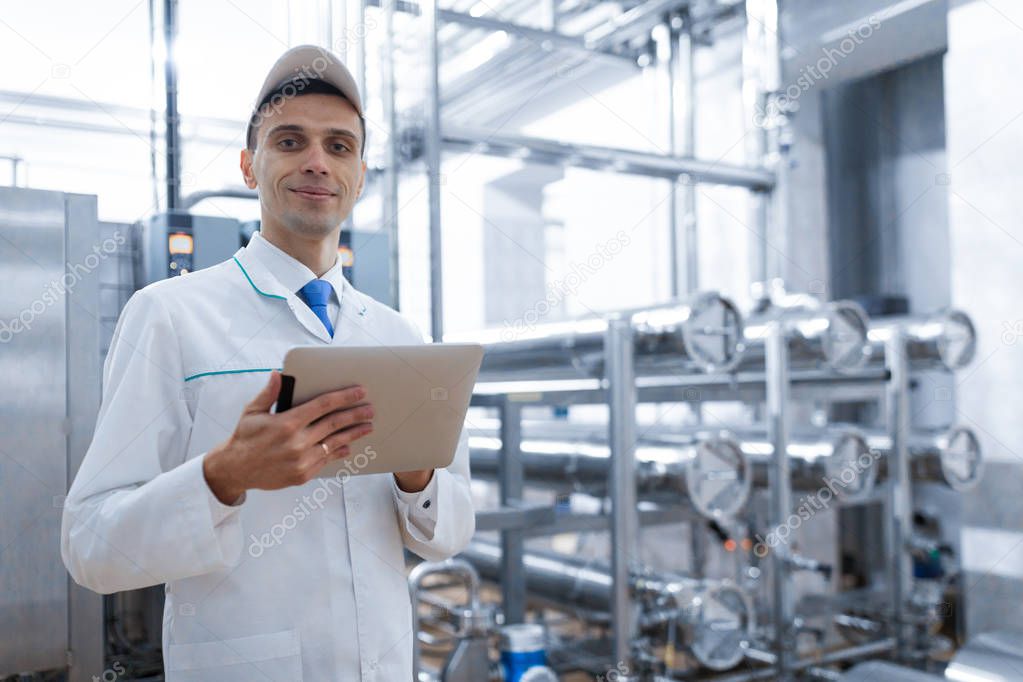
point(953, 458)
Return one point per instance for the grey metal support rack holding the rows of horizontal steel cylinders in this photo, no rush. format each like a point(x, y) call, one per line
point(779, 386)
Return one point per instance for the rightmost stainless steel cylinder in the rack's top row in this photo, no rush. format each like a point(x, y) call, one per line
point(946, 340)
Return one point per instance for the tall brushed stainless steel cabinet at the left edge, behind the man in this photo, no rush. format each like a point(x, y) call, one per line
point(51, 253)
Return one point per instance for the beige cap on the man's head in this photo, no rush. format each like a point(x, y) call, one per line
point(301, 65)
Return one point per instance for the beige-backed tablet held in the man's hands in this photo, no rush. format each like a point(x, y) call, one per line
point(420, 396)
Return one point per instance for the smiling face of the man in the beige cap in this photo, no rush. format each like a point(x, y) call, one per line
point(307, 164)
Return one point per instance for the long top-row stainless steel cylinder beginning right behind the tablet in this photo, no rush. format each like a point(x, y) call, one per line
point(700, 335)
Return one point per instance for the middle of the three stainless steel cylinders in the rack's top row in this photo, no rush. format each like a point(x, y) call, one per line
point(831, 336)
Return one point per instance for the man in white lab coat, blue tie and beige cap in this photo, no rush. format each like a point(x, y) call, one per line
point(193, 480)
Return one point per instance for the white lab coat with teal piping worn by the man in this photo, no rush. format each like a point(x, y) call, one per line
point(306, 583)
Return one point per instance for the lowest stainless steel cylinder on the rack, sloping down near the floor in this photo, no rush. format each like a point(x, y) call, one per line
point(717, 616)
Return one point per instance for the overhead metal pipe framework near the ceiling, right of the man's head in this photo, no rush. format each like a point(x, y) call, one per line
point(611, 40)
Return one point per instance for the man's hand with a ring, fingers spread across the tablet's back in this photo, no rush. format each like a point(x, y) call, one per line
point(274, 451)
